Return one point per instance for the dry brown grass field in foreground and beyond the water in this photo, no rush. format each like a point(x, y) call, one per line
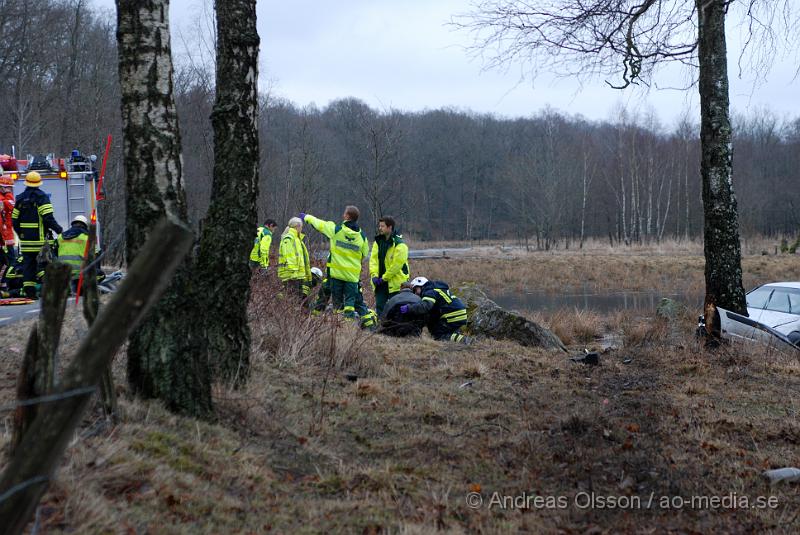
point(343, 431)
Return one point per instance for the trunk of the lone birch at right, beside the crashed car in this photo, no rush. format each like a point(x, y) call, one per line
point(723, 271)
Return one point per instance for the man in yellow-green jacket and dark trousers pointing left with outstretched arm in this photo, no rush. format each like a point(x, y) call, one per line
point(348, 249)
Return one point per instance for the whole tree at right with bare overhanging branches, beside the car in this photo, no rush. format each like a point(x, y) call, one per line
point(630, 39)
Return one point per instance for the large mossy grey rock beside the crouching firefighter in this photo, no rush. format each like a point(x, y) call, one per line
point(487, 318)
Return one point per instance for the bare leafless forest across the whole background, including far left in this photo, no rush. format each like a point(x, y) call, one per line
point(550, 179)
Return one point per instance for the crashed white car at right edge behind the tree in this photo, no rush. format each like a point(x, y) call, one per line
point(774, 312)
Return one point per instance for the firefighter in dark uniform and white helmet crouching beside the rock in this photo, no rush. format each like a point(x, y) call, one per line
point(446, 313)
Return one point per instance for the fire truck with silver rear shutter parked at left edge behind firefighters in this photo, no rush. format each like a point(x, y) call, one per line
point(69, 182)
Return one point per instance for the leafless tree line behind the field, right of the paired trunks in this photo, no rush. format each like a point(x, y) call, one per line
point(551, 178)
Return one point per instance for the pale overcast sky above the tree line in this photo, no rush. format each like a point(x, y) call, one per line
point(401, 54)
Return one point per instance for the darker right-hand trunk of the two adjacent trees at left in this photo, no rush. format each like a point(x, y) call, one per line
point(222, 277)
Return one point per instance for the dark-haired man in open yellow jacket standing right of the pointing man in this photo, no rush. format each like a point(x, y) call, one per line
point(388, 263)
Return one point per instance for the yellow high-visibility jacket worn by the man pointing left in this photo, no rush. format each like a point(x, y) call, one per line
point(349, 247)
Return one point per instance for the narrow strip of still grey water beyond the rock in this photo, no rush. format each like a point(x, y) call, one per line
point(601, 302)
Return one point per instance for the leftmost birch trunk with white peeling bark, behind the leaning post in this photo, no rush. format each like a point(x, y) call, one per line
point(158, 365)
